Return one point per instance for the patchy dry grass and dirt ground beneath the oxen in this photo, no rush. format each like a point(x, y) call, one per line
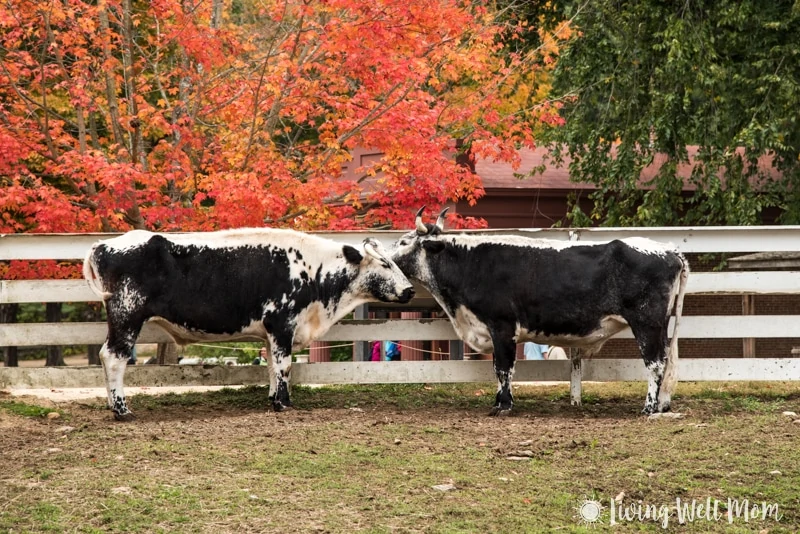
point(366, 458)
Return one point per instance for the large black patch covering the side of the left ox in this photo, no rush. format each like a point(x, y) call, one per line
point(208, 292)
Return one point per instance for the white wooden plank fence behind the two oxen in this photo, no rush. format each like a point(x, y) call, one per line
point(735, 240)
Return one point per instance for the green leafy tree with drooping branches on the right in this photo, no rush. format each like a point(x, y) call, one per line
point(651, 79)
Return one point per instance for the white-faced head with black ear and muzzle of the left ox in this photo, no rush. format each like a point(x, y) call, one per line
point(378, 276)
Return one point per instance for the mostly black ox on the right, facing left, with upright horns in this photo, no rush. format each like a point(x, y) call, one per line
point(502, 290)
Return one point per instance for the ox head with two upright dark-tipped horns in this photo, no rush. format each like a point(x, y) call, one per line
point(410, 252)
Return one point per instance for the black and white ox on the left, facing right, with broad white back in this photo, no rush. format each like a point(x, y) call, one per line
point(280, 286)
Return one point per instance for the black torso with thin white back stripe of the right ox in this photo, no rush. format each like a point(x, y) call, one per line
point(550, 293)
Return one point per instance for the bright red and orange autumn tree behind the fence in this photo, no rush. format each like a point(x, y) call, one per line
point(192, 115)
